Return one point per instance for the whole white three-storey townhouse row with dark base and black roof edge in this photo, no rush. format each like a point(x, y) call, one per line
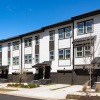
point(65, 52)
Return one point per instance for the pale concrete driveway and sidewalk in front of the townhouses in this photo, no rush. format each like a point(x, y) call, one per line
point(51, 92)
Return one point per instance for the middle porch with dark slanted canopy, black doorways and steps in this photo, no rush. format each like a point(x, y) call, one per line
point(42, 75)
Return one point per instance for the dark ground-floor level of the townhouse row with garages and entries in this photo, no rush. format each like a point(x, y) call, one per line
point(44, 74)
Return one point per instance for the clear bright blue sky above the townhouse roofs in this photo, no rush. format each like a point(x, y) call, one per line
point(22, 16)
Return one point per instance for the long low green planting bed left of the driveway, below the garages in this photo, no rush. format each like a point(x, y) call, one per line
point(19, 85)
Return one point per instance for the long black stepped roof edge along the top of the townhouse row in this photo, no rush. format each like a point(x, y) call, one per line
point(95, 12)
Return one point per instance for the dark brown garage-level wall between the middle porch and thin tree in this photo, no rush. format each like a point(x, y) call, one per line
point(65, 77)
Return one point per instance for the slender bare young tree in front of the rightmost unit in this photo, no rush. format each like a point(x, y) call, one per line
point(93, 45)
